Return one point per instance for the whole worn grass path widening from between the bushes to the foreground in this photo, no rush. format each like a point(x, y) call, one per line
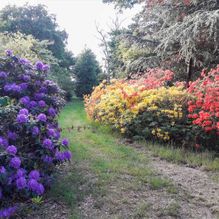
point(110, 179)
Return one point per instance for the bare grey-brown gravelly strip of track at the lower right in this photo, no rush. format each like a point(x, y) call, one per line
point(195, 182)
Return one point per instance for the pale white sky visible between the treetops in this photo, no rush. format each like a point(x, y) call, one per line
point(79, 18)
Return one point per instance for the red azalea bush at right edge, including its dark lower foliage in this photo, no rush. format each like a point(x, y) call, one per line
point(204, 109)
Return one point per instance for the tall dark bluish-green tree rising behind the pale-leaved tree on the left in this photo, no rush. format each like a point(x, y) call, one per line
point(36, 21)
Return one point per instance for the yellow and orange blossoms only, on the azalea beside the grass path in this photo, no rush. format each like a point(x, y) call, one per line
point(121, 104)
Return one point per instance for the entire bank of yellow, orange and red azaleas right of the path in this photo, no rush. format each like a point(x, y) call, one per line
point(148, 108)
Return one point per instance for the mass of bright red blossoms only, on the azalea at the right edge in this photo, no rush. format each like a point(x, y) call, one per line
point(204, 110)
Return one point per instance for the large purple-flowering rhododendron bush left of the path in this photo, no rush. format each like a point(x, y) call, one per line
point(30, 144)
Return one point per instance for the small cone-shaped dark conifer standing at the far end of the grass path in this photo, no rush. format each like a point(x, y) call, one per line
point(86, 70)
